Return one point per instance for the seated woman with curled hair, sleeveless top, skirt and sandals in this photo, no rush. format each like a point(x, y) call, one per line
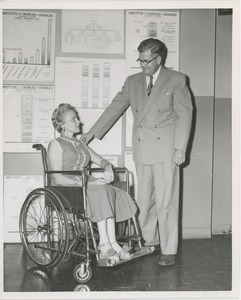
point(105, 204)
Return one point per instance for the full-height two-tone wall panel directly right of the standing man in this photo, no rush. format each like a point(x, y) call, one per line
point(197, 48)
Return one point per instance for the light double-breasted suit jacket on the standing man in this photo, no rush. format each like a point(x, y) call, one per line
point(162, 121)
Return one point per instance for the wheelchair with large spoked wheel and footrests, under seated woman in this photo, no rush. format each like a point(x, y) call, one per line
point(54, 224)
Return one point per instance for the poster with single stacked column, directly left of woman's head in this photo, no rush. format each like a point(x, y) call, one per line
point(27, 112)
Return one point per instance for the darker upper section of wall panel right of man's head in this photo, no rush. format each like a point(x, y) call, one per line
point(197, 48)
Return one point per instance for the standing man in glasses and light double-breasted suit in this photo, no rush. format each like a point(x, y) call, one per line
point(162, 111)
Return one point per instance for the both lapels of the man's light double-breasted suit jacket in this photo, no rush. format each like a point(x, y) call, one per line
point(158, 86)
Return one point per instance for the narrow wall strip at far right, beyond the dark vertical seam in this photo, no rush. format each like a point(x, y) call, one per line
point(222, 168)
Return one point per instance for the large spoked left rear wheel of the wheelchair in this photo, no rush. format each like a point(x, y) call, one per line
point(43, 228)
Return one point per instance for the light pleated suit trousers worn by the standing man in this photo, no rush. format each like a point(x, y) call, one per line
point(158, 202)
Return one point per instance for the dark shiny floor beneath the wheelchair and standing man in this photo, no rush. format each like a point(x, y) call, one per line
point(201, 265)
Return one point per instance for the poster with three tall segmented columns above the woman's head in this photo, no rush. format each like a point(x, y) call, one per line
point(88, 82)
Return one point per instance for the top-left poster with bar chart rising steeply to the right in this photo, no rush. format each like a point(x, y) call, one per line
point(28, 46)
